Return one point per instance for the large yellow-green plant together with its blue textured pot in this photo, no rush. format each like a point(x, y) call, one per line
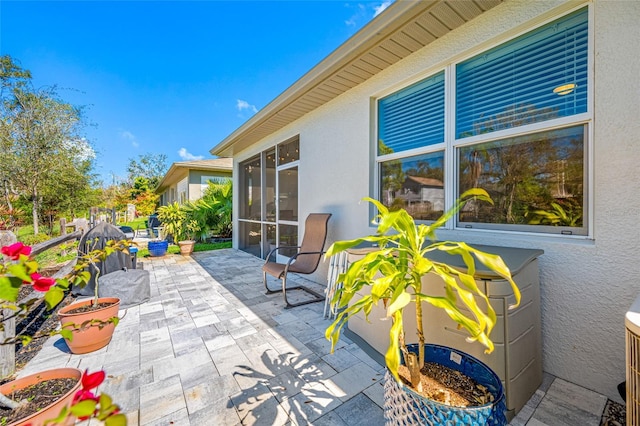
point(393, 273)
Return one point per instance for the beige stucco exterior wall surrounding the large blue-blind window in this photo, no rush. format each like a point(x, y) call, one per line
point(587, 285)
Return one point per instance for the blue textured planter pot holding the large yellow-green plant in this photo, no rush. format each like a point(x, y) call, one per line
point(403, 406)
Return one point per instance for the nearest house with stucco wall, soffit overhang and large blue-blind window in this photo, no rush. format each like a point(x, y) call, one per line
point(536, 101)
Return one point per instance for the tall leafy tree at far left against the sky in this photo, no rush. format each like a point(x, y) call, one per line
point(41, 138)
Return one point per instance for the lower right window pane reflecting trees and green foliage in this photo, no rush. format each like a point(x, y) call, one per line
point(536, 179)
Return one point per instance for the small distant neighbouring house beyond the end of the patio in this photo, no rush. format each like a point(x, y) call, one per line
point(187, 180)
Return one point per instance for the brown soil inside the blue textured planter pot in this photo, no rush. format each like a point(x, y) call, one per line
point(447, 386)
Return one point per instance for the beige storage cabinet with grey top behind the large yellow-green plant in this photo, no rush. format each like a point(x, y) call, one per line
point(517, 357)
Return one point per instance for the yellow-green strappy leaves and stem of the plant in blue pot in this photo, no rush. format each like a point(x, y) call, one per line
point(394, 275)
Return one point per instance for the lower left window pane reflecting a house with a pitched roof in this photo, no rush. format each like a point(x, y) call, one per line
point(415, 184)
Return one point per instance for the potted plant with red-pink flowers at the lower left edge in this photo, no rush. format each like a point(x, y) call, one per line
point(28, 400)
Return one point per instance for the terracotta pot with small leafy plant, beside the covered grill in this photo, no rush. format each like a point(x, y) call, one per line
point(88, 325)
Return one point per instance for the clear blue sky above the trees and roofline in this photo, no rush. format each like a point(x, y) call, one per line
point(172, 77)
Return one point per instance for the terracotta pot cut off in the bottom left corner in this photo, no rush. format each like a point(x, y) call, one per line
point(52, 410)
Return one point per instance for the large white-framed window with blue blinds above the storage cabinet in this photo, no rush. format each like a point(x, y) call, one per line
point(518, 129)
